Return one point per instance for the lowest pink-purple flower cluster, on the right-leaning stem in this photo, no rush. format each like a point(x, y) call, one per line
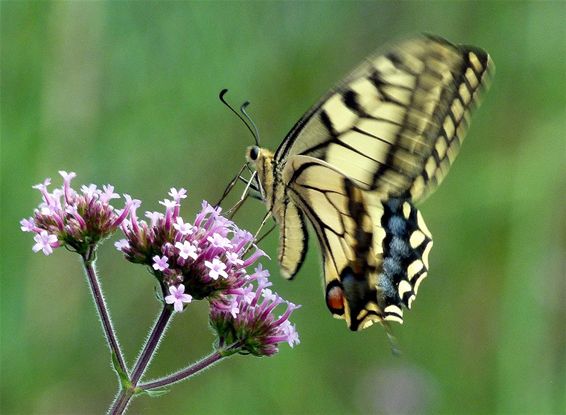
point(247, 318)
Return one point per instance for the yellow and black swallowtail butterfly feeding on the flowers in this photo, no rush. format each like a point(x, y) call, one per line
point(358, 161)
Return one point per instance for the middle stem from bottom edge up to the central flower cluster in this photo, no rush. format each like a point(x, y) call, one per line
point(121, 402)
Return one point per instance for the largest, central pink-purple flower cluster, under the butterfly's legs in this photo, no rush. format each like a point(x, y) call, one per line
point(202, 258)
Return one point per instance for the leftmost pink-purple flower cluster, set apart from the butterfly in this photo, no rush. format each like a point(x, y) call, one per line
point(76, 220)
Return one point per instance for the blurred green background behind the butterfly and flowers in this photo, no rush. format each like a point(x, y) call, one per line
point(126, 93)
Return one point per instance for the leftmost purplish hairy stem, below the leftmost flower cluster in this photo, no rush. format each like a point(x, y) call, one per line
point(96, 290)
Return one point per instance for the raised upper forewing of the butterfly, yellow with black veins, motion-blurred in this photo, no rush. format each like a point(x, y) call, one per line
point(396, 123)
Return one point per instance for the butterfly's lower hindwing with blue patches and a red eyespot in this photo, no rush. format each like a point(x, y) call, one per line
point(374, 252)
